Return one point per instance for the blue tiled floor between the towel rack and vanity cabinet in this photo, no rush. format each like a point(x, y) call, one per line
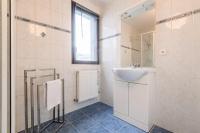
point(97, 118)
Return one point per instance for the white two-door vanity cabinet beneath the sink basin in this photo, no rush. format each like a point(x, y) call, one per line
point(132, 101)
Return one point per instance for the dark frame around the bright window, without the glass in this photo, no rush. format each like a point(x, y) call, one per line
point(88, 11)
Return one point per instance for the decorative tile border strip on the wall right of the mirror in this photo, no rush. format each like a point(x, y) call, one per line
point(179, 16)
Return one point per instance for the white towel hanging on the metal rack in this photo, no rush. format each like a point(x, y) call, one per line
point(53, 93)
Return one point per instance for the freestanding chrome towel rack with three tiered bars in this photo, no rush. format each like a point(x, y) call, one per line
point(55, 76)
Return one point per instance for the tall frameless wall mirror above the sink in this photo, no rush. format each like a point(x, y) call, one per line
point(137, 35)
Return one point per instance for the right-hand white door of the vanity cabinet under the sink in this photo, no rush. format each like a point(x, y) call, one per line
point(138, 102)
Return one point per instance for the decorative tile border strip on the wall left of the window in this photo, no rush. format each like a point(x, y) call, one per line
point(41, 24)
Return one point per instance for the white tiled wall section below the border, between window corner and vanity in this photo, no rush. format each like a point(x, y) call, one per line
point(108, 57)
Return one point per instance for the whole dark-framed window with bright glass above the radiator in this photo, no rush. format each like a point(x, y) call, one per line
point(85, 35)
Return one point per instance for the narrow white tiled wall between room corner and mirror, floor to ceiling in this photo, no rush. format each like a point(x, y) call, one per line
point(111, 25)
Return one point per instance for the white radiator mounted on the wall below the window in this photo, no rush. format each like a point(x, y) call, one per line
point(86, 85)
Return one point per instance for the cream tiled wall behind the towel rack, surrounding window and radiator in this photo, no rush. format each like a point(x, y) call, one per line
point(52, 17)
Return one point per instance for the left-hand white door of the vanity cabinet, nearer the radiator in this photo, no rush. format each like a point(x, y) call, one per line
point(121, 97)
